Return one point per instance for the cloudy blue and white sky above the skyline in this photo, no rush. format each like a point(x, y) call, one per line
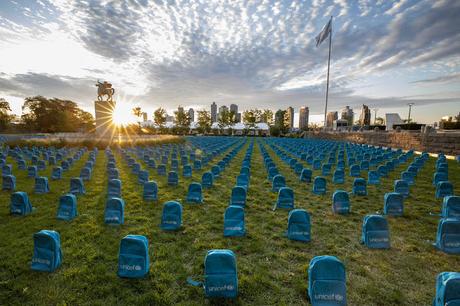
point(253, 53)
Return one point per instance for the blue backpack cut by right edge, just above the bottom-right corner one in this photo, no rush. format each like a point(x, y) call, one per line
point(448, 236)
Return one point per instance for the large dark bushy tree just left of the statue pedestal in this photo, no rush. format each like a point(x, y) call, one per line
point(54, 115)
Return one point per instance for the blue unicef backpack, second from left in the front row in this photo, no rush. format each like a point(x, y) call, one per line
point(133, 257)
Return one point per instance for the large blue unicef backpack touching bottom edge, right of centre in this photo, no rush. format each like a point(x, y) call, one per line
point(327, 281)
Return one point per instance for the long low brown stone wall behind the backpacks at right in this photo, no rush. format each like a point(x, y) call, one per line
point(445, 142)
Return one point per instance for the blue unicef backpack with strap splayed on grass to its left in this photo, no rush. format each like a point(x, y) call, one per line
point(221, 278)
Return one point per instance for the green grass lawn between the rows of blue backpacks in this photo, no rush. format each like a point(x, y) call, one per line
point(271, 268)
